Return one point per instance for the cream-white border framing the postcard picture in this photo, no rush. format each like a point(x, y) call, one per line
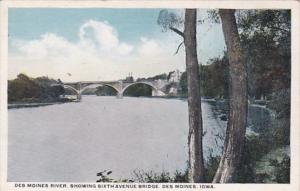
point(295, 75)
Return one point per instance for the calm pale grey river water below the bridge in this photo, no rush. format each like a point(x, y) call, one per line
point(72, 142)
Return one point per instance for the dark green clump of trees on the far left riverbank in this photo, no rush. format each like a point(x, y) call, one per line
point(26, 89)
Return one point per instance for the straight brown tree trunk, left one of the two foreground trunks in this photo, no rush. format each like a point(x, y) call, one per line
point(196, 167)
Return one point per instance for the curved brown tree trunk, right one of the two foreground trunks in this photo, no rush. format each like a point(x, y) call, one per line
point(236, 128)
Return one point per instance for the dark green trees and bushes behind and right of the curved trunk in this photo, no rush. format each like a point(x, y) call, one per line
point(265, 36)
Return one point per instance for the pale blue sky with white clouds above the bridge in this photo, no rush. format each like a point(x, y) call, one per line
point(100, 44)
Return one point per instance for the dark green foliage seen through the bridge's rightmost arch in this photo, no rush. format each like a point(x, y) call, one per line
point(138, 90)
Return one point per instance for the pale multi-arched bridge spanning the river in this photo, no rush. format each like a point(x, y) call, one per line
point(158, 86)
